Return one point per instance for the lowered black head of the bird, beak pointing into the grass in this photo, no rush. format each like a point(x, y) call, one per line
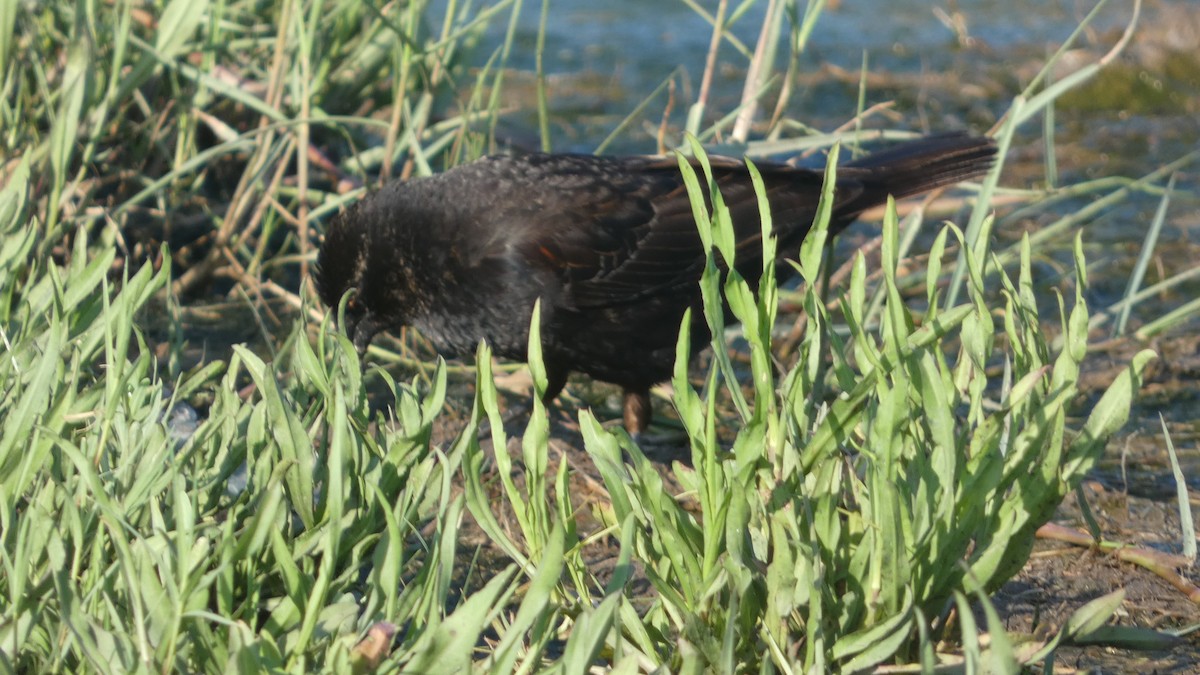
point(346, 265)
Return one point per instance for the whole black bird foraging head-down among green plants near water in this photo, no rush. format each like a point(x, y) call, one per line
point(609, 244)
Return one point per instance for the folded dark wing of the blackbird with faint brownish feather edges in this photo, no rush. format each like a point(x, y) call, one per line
point(633, 234)
